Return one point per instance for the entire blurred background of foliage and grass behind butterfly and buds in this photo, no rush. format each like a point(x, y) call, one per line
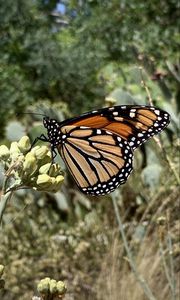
point(63, 58)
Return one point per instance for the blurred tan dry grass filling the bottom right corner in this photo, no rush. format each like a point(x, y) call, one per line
point(117, 281)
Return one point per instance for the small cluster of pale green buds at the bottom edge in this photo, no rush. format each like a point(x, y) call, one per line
point(51, 289)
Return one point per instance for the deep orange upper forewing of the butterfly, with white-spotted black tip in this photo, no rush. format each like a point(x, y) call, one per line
point(136, 124)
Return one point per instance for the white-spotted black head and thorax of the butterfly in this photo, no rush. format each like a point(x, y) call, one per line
point(53, 131)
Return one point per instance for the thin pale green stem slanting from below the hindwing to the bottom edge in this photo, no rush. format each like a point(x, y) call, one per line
point(139, 278)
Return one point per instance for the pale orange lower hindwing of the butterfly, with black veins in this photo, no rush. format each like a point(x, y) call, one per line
point(98, 163)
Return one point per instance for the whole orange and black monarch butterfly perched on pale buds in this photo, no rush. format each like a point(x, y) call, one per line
point(98, 146)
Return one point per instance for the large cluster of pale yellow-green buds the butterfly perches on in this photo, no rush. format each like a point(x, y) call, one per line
point(30, 168)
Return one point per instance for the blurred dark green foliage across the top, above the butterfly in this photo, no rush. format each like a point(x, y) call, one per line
point(42, 58)
